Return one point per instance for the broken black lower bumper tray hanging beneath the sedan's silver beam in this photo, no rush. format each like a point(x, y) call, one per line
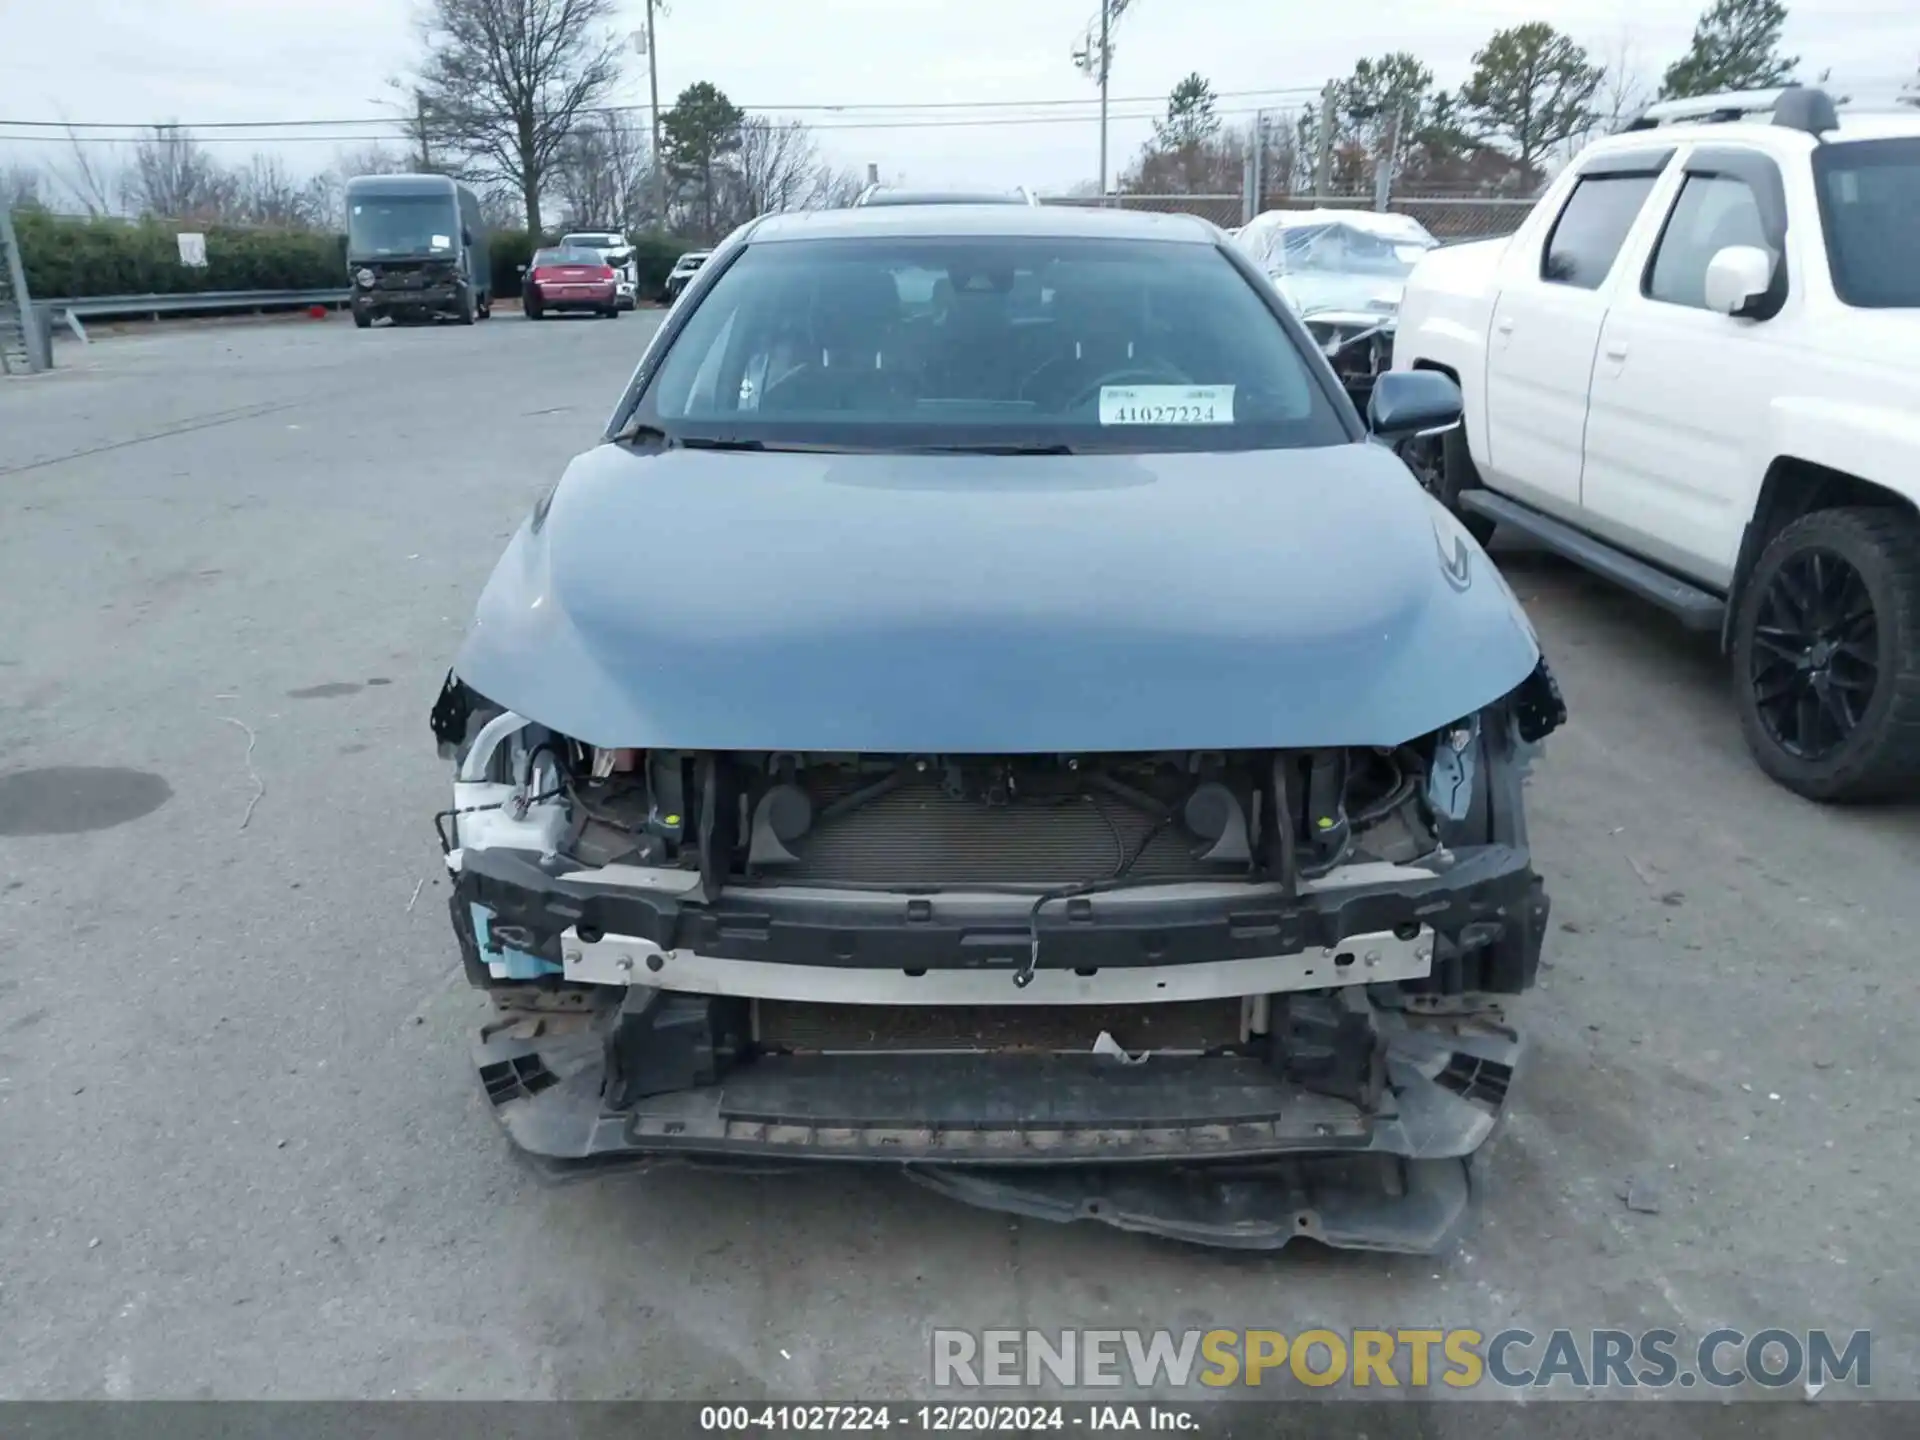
point(1207, 1149)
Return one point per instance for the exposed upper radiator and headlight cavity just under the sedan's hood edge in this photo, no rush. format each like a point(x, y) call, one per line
point(994, 821)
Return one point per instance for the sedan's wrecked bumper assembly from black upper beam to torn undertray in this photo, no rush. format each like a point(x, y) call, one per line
point(1353, 1115)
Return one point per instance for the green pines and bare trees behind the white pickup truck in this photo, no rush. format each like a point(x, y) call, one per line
point(1535, 97)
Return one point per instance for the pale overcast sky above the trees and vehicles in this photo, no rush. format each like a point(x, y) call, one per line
point(266, 60)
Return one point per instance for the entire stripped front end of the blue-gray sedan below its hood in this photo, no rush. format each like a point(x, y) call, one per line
point(971, 961)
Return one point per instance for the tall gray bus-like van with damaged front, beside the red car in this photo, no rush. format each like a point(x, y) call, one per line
point(418, 251)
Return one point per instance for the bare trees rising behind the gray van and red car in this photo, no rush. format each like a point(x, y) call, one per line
point(510, 97)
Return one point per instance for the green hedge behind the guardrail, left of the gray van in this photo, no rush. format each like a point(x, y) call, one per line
point(72, 258)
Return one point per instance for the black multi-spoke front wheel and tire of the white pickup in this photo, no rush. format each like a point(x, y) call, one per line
point(1827, 656)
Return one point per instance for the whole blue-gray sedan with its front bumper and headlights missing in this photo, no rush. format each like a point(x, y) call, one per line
point(992, 708)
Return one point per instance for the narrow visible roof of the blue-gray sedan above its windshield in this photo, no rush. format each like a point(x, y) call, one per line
point(996, 220)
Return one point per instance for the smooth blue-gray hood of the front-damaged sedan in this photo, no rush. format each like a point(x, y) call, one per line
point(967, 604)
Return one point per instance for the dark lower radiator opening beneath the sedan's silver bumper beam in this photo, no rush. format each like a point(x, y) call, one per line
point(1176, 1028)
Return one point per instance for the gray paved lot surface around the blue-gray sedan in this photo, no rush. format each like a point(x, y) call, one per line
point(243, 1147)
